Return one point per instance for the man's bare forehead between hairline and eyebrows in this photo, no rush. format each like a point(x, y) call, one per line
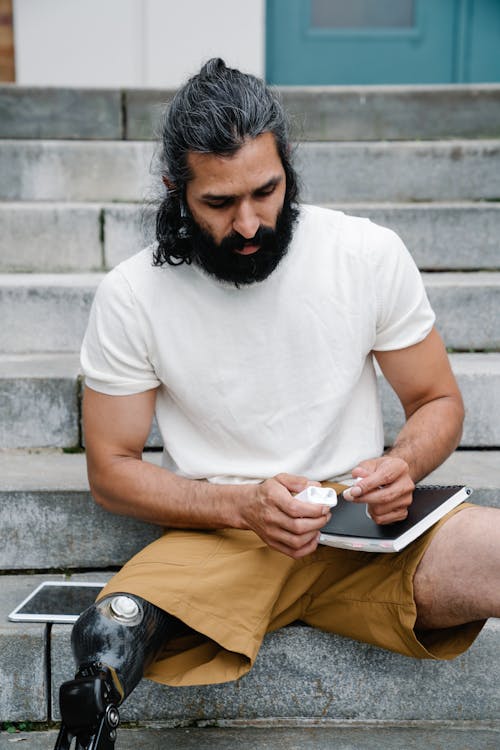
point(254, 164)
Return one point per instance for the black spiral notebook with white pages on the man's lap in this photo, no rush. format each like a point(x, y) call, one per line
point(351, 528)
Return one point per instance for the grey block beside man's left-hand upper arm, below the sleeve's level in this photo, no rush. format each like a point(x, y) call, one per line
point(39, 397)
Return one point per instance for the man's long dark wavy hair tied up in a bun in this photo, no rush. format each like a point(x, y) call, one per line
point(213, 113)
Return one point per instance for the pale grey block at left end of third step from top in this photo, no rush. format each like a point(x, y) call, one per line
point(50, 238)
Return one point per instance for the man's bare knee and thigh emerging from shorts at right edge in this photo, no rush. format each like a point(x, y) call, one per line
point(458, 578)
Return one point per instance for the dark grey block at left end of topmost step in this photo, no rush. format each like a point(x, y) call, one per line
point(36, 112)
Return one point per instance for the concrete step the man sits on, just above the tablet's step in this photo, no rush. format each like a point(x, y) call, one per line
point(61, 527)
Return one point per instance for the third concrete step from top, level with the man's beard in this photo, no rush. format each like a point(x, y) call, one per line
point(89, 237)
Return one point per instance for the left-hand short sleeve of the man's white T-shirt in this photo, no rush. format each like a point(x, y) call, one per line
point(114, 355)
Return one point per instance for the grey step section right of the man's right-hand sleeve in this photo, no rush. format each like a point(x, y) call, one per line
point(467, 308)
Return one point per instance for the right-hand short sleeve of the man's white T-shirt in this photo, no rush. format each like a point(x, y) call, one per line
point(404, 314)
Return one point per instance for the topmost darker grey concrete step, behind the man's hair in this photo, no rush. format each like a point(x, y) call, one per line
point(317, 112)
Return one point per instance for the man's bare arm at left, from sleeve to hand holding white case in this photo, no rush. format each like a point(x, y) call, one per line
point(116, 429)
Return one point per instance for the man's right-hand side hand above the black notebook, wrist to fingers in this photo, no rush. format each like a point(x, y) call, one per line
point(385, 485)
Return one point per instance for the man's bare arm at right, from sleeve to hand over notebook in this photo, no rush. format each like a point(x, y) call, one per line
point(424, 382)
